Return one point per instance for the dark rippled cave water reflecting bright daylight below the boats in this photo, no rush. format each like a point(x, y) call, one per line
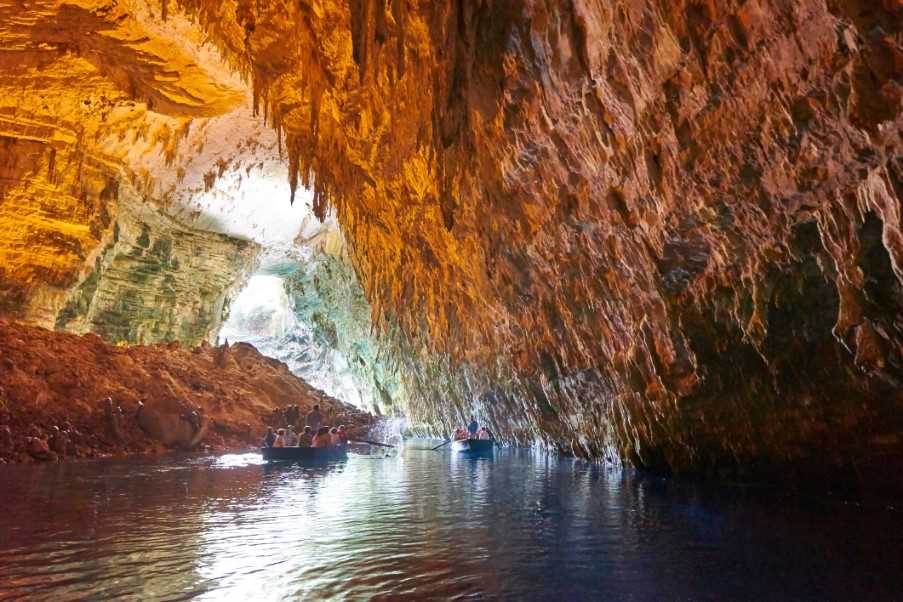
point(426, 525)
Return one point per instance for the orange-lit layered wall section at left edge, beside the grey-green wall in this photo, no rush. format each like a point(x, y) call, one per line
point(56, 211)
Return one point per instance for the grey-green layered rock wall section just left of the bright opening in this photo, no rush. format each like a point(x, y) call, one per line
point(158, 280)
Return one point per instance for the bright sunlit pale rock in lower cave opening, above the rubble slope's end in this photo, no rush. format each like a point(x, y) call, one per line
point(311, 313)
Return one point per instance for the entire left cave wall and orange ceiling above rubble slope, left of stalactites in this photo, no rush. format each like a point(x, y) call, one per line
point(104, 112)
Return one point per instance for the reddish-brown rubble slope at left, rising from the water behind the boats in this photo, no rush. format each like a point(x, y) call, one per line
point(64, 396)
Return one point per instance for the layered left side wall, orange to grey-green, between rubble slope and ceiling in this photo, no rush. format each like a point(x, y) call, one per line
point(81, 250)
